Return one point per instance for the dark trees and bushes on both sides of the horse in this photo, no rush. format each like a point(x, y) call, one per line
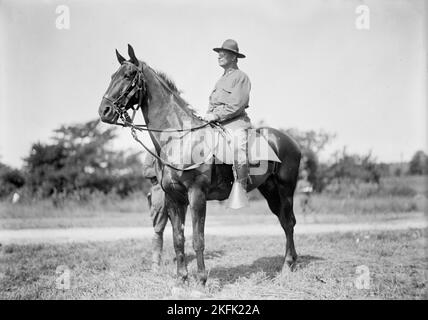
point(79, 161)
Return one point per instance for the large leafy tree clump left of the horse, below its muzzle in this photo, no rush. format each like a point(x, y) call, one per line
point(78, 161)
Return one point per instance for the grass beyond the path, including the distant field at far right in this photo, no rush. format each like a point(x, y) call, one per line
point(106, 211)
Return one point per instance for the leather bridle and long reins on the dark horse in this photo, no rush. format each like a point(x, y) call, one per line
point(138, 86)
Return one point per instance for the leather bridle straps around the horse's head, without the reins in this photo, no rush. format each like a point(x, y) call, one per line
point(136, 86)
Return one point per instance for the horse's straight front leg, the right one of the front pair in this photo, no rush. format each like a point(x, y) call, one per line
point(198, 207)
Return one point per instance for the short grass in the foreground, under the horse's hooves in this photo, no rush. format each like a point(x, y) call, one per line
point(239, 268)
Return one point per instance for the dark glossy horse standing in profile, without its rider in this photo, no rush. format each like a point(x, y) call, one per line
point(135, 83)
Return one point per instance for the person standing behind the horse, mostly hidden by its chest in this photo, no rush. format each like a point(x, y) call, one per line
point(158, 213)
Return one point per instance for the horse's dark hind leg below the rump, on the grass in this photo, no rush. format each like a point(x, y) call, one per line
point(280, 200)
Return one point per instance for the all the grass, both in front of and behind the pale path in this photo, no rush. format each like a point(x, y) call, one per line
point(239, 267)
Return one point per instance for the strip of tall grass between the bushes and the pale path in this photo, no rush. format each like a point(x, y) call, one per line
point(322, 209)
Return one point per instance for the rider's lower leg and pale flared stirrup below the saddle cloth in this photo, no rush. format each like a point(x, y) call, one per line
point(238, 197)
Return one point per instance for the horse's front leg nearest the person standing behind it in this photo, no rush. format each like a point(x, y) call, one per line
point(177, 214)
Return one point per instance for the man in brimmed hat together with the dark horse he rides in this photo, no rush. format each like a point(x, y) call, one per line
point(135, 85)
